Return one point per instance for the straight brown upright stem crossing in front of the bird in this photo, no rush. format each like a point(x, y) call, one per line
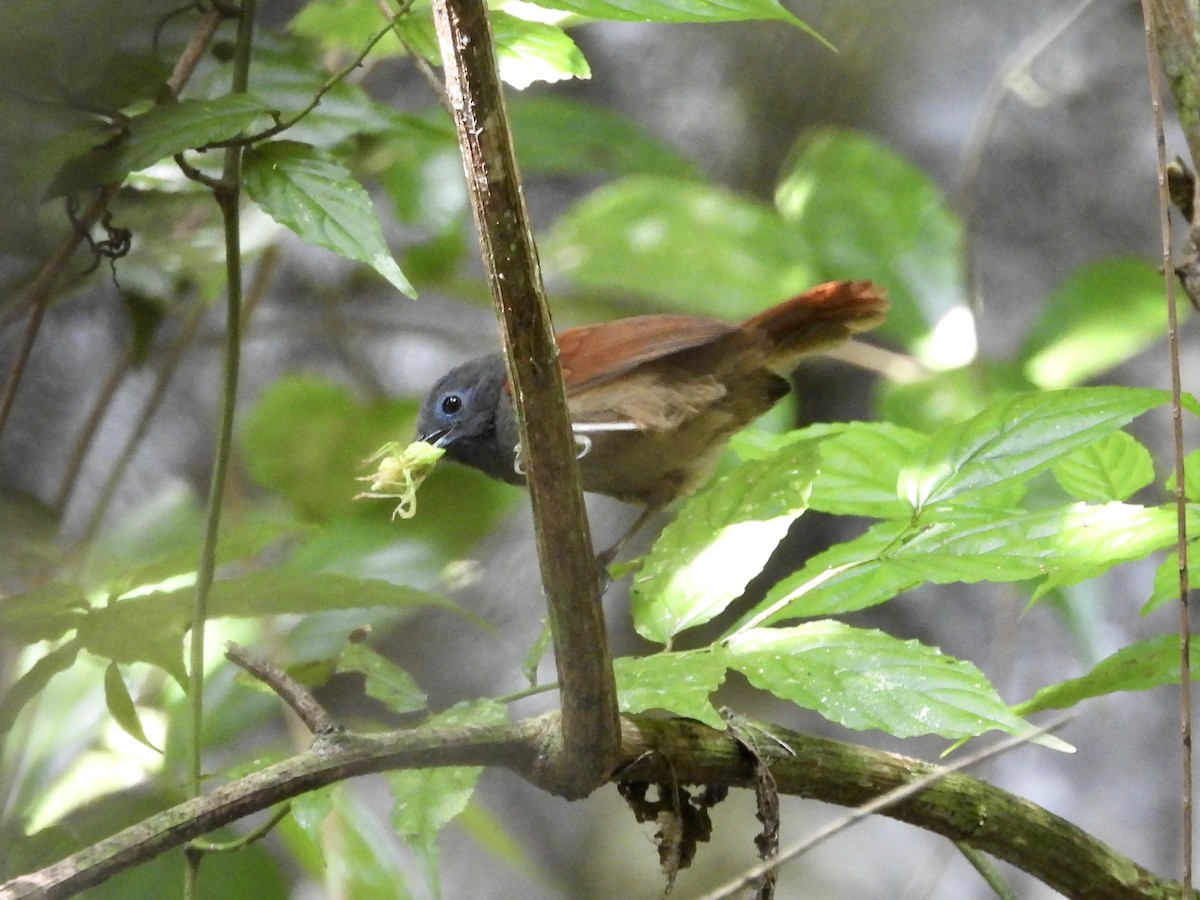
point(569, 572)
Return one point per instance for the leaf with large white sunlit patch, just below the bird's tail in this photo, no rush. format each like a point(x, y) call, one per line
point(722, 538)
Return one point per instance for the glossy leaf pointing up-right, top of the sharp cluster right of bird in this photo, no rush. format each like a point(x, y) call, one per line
point(1017, 437)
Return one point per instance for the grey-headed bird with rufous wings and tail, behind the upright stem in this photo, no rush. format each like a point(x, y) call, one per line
point(653, 399)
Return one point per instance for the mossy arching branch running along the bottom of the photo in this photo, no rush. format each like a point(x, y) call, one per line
point(961, 808)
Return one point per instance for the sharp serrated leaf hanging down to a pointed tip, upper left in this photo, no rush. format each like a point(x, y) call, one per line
point(305, 190)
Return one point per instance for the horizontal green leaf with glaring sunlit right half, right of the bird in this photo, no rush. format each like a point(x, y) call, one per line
point(999, 545)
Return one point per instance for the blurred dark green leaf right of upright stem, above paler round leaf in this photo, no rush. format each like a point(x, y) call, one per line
point(557, 136)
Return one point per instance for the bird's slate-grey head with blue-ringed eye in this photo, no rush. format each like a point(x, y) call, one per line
point(469, 415)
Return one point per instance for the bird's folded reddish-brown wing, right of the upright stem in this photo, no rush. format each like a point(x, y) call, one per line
point(593, 355)
